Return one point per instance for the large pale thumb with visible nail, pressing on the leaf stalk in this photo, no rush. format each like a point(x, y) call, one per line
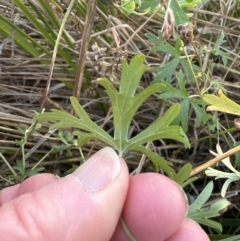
point(85, 205)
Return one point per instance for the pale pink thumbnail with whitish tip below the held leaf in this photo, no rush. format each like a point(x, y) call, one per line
point(99, 170)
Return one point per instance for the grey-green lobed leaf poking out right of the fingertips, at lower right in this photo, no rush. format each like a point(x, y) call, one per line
point(202, 214)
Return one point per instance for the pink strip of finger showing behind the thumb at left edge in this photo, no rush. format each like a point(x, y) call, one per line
point(29, 185)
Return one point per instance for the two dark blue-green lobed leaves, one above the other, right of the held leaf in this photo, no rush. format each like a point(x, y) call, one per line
point(164, 76)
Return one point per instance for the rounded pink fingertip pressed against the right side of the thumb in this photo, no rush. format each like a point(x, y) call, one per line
point(154, 208)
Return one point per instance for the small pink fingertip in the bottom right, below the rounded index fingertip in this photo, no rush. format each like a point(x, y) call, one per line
point(189, 230)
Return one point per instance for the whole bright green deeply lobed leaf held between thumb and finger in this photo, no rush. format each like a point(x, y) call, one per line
point(125, 103)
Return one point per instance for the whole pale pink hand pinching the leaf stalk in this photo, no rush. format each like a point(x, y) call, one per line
point(88, 204)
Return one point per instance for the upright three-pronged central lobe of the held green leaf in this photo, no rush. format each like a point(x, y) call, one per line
point(125, 104)
